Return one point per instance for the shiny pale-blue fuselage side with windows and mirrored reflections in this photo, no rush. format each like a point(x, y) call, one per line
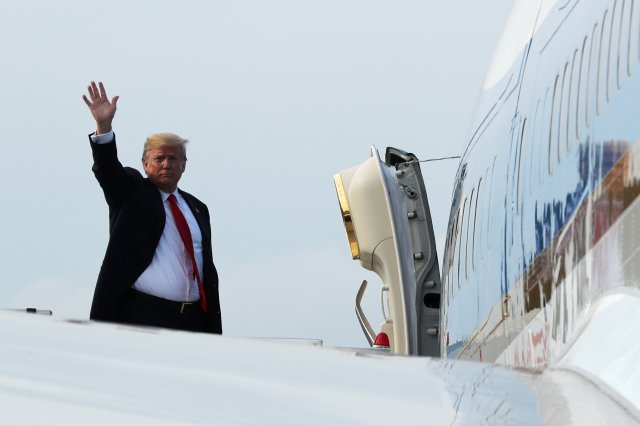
point(544, 202)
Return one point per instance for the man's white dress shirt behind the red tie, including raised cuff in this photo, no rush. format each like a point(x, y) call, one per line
point(170, 274)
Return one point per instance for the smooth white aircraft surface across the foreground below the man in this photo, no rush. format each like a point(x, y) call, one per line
point(70, 372)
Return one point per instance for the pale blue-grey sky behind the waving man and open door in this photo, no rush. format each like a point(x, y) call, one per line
point(276, 97)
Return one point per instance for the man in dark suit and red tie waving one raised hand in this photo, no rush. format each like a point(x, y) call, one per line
point(158, 268)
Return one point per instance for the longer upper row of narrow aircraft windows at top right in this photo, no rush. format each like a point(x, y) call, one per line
point(579, 90)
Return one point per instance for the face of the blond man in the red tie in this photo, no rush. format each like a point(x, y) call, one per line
point(164, 167)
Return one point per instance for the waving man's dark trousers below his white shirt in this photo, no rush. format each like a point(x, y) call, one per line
point(142, 309)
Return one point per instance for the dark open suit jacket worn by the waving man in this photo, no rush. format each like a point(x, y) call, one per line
point(136, 223)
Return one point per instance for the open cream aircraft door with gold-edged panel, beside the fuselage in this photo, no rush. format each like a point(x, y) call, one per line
point(386, 215)
